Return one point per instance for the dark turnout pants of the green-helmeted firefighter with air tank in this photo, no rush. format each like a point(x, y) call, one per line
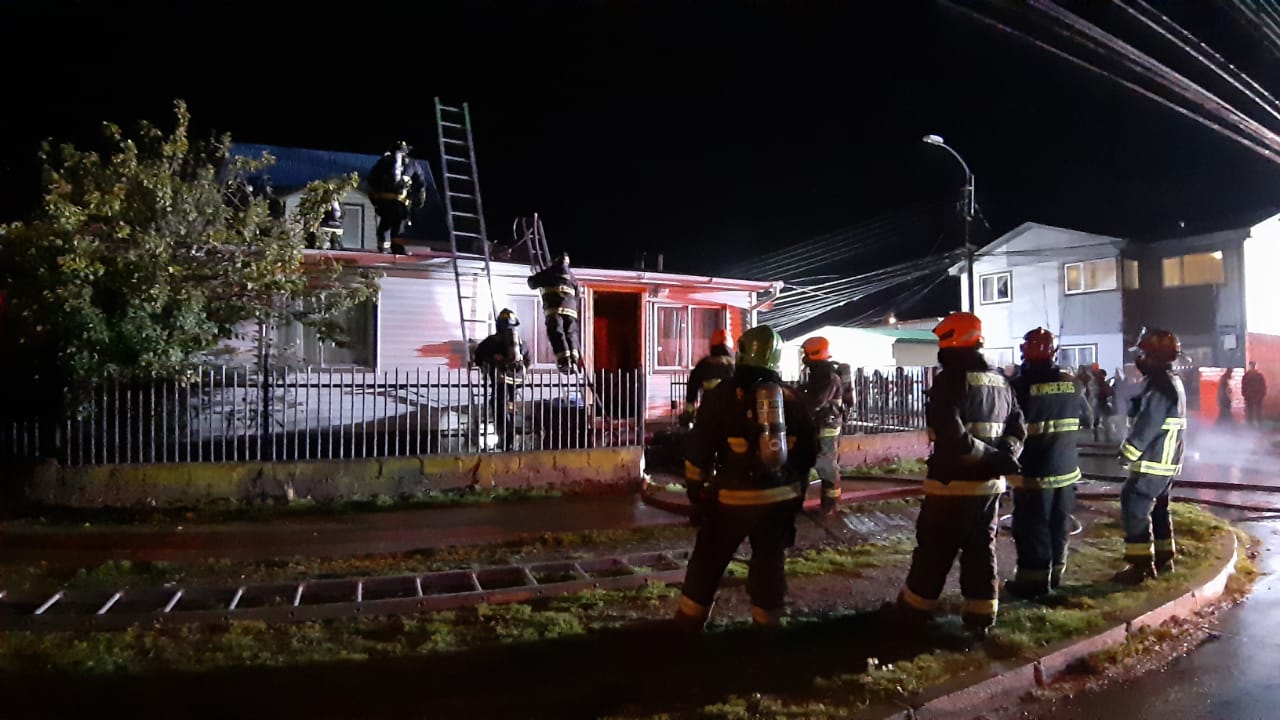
point(771, 528)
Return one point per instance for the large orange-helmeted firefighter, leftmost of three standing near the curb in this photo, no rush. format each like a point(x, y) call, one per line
point(977, 432)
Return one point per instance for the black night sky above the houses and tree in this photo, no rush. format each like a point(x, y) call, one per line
point(710, 133)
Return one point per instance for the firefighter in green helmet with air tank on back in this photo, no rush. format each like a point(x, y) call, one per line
point(747, 467)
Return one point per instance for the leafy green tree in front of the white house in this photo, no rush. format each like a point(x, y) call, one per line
point(141, 262)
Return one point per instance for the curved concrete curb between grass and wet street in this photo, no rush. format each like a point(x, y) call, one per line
point(963, 704)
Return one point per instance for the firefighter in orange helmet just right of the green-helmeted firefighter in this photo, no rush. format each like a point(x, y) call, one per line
point(824, 395)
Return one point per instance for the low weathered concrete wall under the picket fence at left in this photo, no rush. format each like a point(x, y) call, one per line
point(331, 481)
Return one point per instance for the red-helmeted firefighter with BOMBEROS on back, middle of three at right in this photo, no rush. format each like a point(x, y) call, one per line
point(1055, 408)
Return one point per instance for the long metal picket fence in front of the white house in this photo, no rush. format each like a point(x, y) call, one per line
point(236, 414)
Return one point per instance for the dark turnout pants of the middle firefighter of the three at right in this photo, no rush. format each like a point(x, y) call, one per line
point(1043, 522)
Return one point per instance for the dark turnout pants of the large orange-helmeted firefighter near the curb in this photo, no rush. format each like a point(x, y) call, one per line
point(952, 525)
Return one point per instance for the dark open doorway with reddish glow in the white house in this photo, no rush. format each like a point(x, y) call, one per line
point(619, 353)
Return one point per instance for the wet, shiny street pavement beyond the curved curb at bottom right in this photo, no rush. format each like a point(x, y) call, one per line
point(1233, 677)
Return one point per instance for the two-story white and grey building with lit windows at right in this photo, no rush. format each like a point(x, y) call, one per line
point(1098, 294)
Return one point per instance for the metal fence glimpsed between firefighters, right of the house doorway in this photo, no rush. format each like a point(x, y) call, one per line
point(885, 402)
